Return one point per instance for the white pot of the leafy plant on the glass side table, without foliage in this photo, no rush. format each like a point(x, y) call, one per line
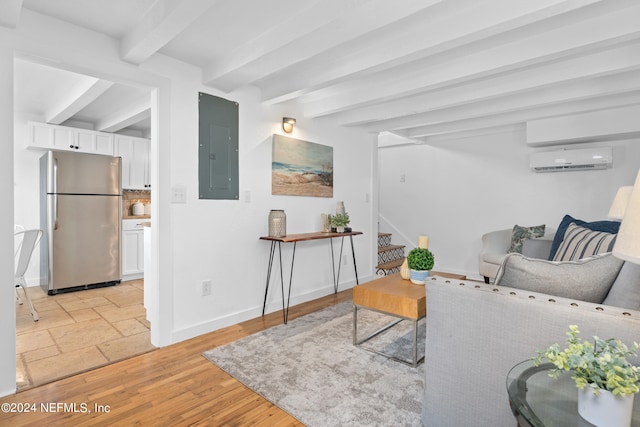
point(605, 409)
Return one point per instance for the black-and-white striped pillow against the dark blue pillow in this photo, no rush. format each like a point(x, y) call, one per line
point(580, 242)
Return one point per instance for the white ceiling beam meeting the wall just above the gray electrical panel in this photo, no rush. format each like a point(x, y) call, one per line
point(300, 36)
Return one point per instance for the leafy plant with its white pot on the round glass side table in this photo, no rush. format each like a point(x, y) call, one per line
point(602, 375)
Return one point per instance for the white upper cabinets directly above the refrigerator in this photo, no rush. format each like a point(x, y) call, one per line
point(64, 138)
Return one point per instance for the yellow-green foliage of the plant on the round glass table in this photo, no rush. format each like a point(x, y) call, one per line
point(599, 365)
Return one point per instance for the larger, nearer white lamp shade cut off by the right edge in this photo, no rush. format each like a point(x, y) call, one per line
point(627, 245)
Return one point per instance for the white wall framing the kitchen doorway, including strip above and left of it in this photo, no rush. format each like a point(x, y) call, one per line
point(202, 239)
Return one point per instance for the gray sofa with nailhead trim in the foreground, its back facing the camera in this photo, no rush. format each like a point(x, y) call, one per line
point(477, 332)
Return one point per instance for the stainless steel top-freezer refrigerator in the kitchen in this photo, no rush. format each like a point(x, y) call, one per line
point(81, 214)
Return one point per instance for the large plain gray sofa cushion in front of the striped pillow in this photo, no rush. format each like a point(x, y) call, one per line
point(586, 280)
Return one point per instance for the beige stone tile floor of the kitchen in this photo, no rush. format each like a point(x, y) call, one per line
point(79, 331)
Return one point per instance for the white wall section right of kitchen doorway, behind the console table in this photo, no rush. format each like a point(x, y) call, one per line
point(218, 240)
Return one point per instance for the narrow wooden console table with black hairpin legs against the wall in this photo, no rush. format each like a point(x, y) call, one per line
point(295, 238)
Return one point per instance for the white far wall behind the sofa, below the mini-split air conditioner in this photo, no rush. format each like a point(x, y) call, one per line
point(458, 189)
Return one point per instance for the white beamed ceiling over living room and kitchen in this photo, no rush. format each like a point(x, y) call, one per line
point(424, 69)
